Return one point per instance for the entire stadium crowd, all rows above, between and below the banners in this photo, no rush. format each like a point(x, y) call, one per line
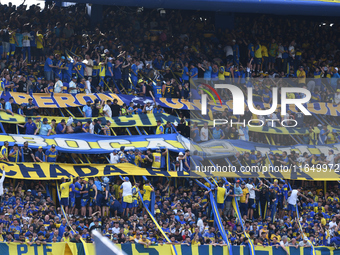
point(51, 50)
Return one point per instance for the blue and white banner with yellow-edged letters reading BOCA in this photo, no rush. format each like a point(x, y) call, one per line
point(84, 143)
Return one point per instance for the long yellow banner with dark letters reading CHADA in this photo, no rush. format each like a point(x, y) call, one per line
point(48, 171)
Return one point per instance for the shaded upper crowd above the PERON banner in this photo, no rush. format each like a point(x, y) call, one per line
point(42, 54)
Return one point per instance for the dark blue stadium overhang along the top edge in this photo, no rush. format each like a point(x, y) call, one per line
point(287, 7)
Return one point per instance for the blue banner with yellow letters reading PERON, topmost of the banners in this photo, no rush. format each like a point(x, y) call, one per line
point(74, 100)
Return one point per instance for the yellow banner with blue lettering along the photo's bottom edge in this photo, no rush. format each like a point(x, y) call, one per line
point(139, 249)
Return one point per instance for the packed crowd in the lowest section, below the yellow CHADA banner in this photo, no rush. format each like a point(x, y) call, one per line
point(112, 206)
